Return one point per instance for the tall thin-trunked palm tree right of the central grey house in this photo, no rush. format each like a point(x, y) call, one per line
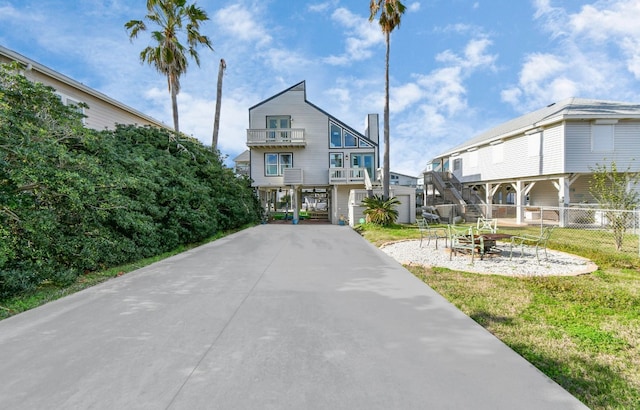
point(390, 13)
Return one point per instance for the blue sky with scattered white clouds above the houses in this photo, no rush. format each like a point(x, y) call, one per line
point(458, 67)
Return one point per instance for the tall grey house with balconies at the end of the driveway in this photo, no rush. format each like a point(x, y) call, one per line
point(304, 159)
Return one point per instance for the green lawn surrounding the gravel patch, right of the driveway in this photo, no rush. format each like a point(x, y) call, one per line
point(582, 331)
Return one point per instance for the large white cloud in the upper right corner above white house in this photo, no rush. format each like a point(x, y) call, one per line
point(596, 50)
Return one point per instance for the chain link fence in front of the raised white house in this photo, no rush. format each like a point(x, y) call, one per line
point(617, 230)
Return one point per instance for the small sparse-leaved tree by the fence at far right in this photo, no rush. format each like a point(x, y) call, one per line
point(617, 193)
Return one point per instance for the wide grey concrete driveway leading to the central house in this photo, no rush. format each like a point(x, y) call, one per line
point(273, 317)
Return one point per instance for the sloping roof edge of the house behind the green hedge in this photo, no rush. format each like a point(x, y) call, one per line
point(34, 65)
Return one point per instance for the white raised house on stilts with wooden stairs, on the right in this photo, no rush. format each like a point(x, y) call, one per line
point(544, 158)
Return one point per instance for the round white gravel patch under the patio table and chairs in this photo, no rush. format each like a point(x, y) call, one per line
point(556, 264)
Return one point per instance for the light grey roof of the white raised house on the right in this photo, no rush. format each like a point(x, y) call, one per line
point(568, 109)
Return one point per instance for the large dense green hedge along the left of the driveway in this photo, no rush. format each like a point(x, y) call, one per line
point(74, 200)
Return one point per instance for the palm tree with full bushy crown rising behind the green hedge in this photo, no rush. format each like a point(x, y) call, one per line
point(169, 56)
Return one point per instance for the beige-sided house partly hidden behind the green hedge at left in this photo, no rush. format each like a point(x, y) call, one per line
point(102, 113)
